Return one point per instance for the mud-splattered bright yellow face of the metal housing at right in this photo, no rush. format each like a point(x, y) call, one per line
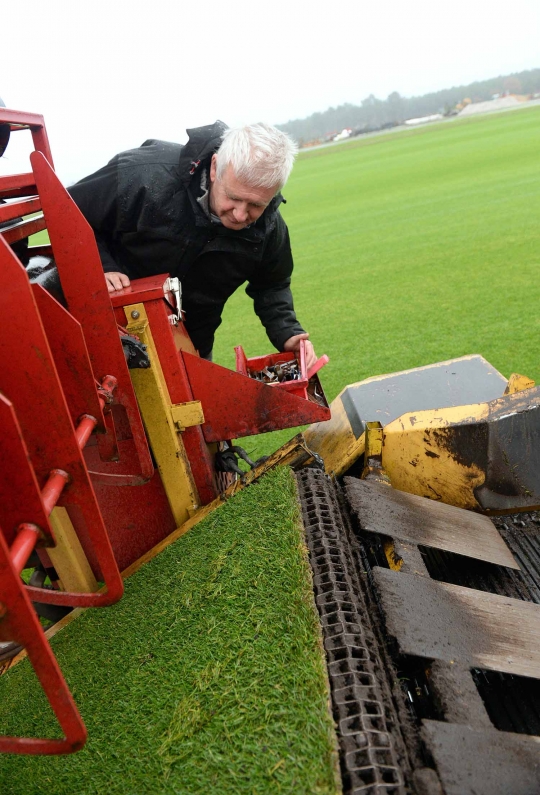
point(417, 461)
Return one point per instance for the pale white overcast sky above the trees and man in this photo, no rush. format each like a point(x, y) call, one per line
point(107, 74)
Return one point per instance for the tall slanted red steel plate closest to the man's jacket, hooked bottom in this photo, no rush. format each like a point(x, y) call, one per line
point(85, 289)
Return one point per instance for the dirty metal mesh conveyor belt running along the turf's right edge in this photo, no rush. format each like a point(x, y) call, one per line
point(370, 757)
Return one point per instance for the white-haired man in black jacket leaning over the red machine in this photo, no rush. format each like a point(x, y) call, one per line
point(208, 213)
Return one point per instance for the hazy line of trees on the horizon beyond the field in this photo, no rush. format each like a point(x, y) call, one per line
point(376, 114)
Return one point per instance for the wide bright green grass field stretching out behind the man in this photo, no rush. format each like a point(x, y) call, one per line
point(411, 248)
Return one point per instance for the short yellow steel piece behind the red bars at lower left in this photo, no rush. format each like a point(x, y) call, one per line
point(68, 556)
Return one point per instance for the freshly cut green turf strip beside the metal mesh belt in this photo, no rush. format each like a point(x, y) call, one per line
point(207, 677)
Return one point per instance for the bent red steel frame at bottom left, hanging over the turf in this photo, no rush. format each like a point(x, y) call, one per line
point(20, 624)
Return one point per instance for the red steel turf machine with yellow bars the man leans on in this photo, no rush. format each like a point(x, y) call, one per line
point(100, 462)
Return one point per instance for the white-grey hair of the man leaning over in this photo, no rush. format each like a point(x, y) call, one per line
point(260, 155)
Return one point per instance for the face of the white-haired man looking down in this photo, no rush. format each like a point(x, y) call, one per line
point(236, 204)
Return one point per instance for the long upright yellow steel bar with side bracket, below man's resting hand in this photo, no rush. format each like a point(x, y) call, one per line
point(158, 414)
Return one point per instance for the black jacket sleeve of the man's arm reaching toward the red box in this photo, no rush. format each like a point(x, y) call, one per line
point(271, 291)
